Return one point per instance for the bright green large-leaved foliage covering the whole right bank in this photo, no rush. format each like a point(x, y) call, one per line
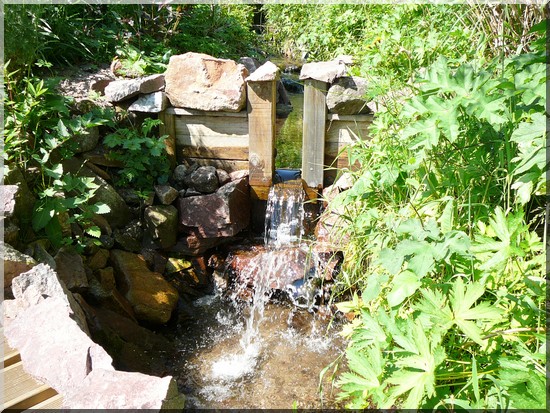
point(444, 259)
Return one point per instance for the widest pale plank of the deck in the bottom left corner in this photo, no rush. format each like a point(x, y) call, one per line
point(21, 391)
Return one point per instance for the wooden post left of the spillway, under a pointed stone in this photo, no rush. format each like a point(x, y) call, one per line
point(261, 130)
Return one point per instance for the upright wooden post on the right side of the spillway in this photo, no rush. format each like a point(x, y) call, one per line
point(313, 145)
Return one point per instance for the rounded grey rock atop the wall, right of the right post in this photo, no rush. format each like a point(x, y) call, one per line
point(347, 96)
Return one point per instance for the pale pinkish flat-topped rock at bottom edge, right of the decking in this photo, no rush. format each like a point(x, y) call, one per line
point(106, 389)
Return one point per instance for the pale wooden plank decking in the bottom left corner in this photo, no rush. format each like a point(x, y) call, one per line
point(20, 390)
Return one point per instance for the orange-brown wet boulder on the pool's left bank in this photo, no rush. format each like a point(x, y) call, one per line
point(152, 298)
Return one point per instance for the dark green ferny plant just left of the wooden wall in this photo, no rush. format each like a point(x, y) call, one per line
point(144, 157)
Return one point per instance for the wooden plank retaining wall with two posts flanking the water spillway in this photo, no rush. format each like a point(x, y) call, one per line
point(246, 140)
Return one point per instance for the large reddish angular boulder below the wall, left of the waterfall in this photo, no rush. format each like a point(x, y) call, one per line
point(221, 214)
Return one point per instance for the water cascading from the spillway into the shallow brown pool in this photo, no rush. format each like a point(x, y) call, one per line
point(265, 351)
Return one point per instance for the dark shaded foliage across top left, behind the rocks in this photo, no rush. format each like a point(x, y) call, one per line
point(142, 36)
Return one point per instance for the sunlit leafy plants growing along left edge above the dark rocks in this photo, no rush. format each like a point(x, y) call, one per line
point(40, 133)
